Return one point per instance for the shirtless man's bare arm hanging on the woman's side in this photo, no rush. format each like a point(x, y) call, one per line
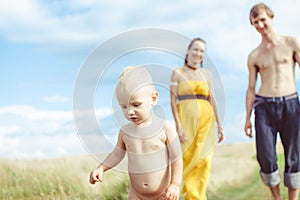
point(250, 94)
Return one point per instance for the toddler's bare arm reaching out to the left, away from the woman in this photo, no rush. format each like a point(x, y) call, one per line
point(114, 158)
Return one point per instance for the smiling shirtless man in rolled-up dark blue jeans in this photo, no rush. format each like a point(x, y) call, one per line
point(276, 103)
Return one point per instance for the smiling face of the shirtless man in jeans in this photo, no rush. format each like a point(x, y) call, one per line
point(262, 22)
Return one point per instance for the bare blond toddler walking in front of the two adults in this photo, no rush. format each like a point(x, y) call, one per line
point(152, 145)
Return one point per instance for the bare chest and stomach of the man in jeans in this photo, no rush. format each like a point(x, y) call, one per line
point(275, 64)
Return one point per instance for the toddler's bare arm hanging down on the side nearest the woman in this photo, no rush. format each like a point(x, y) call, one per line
point(175, 155)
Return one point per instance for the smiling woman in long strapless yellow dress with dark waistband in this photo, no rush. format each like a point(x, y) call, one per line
point(195, 114)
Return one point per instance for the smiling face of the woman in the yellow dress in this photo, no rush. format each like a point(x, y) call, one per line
point(196, 53)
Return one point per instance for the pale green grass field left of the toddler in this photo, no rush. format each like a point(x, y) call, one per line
point(64, 179)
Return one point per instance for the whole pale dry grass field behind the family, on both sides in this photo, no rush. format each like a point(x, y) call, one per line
point(234, 176)
